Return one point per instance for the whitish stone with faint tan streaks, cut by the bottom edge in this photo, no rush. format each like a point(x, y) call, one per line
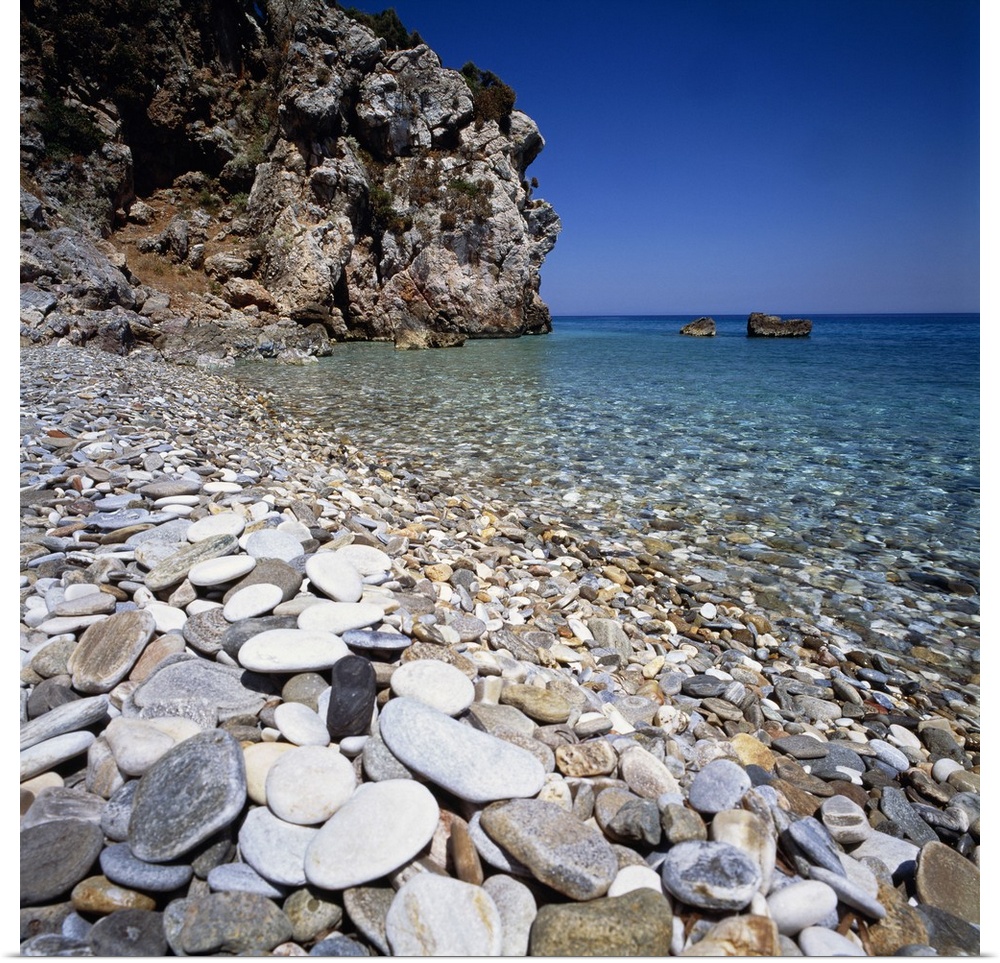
point(438, 916)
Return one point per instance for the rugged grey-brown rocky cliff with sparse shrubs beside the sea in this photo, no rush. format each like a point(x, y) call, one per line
point(215, 179)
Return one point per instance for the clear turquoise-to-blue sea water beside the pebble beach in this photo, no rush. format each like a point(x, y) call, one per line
point(838, 465)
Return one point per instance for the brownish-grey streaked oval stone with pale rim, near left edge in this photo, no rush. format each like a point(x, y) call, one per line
point(108, 649)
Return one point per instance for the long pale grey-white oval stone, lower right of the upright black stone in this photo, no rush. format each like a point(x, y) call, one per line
point(473, 765)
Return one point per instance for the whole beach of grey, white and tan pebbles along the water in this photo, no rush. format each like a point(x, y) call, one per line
point(279, 700)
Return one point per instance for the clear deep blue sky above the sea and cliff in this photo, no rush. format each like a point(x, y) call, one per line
point(724, 156)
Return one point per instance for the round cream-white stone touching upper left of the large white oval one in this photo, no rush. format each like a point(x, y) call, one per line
point(309, 784)
